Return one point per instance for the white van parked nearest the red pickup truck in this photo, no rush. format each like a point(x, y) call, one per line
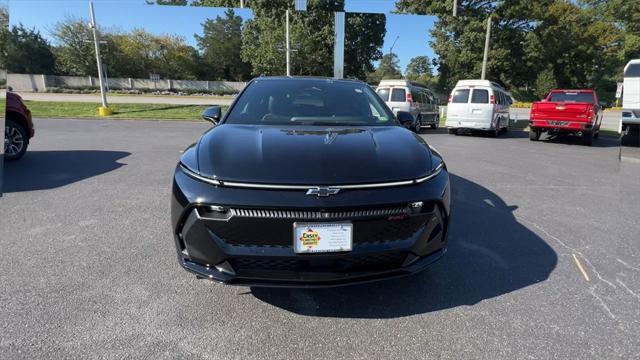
point(478, 105)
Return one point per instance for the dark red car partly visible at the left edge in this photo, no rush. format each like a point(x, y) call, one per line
point(18, 127)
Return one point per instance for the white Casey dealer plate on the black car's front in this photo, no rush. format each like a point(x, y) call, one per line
point(322, 237)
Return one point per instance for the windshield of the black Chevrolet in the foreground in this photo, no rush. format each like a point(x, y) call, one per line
point(309, 102)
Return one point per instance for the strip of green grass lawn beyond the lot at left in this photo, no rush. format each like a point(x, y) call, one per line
point(52, 109)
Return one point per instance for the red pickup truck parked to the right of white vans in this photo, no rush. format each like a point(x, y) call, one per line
point(575, 112)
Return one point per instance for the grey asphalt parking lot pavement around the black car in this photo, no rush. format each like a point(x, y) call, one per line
point(543, 260)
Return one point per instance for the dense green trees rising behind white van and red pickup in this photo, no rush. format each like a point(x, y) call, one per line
point(574, 43)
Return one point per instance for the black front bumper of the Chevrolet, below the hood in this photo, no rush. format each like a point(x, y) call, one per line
point(250, 242)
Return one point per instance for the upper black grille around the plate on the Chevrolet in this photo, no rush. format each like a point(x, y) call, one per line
point(274, 228)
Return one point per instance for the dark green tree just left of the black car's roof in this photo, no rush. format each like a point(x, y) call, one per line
point(220, 46)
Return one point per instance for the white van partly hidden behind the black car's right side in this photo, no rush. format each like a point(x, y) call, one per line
point(420, 101)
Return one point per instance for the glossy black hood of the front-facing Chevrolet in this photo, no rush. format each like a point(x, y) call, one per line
point(312, 155)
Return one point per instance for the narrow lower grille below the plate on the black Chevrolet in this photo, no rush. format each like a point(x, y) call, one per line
point(371, 262)
